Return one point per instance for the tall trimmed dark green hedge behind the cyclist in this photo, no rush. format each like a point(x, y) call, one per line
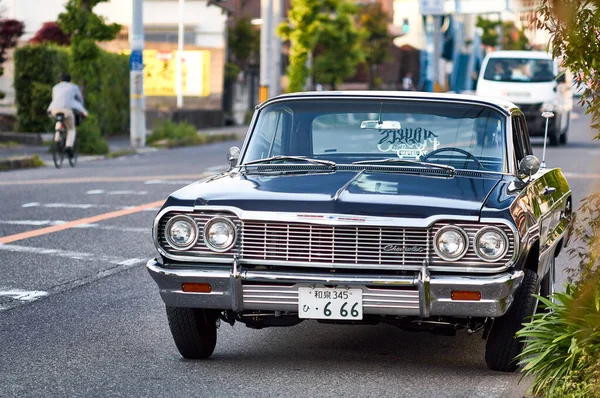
point(106, 92)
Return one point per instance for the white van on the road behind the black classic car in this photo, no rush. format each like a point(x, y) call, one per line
point(529, 80)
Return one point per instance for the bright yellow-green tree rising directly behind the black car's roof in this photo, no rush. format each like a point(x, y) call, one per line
point(324, 29)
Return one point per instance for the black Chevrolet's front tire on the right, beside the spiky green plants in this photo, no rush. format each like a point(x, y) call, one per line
point(502, 347)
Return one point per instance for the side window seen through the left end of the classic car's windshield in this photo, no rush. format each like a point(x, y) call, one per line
point(267, 136)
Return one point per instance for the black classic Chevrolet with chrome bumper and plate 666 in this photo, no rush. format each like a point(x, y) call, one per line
point(424, 211)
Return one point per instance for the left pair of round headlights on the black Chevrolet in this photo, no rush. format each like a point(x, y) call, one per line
point(182, 233)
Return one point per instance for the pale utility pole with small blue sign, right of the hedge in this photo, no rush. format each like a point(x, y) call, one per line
point(137, 105)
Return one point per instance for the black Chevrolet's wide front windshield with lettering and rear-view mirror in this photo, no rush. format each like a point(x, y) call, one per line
point(345, 131)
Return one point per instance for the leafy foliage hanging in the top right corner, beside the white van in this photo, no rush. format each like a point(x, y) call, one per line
point(574, 27)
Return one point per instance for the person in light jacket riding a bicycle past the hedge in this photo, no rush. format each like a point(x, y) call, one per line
point(67, 99)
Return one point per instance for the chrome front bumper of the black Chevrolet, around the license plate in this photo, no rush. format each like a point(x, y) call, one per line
point(423, 295)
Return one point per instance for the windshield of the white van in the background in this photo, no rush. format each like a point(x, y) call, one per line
point(519, 70)
